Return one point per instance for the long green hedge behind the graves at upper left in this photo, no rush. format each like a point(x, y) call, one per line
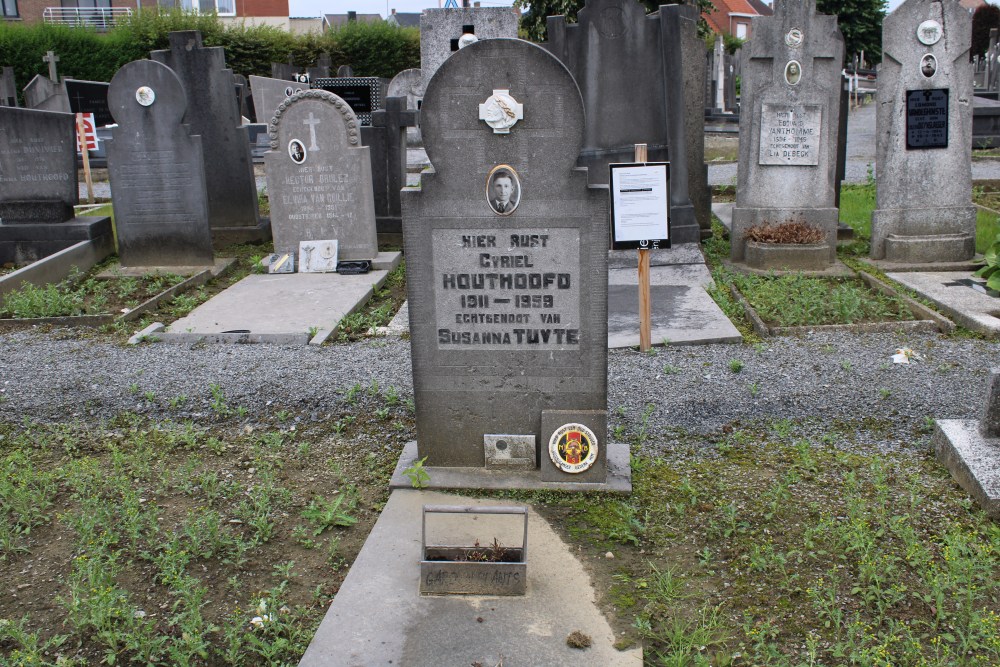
point(372, 49)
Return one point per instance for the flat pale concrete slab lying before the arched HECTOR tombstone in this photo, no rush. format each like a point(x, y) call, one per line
point(285, 306)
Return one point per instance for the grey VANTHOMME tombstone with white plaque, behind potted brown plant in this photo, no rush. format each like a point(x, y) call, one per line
point(790, 115)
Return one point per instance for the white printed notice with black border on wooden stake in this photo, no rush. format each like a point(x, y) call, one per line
point(640, 199)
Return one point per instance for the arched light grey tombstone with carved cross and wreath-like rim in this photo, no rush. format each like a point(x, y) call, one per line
point(319, 176)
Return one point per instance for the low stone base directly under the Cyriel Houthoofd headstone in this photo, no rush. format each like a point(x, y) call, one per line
point(619, 479)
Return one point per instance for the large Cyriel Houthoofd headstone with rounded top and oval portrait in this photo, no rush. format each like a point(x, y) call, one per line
point(506, 249)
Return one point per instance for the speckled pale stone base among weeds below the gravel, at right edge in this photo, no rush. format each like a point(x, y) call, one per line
point(972, 458)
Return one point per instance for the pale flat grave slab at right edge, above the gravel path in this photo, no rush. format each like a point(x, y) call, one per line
point(965, 305)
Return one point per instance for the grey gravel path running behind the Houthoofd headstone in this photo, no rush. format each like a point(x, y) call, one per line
point(825, 376)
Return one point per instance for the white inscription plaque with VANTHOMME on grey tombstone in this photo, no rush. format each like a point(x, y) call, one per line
point(790, 134)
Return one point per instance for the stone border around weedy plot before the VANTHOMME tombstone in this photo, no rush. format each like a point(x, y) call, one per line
point(925, 318)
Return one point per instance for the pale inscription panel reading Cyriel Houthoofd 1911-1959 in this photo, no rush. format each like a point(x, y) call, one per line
point(507, 289)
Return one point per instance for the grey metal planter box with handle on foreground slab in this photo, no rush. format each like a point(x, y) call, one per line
point(472, 570)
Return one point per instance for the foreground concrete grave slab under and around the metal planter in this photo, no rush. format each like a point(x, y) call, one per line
point(378, 617)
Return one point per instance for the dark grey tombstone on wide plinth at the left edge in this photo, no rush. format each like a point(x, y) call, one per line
point(38, 186)
